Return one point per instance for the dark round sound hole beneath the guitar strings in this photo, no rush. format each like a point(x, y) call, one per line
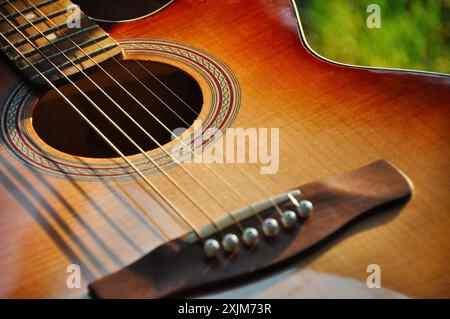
point(61, 127)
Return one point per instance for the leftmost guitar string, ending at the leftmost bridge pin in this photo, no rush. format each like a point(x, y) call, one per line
point(168, 202)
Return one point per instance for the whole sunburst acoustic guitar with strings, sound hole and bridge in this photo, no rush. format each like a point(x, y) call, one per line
point(112, 135)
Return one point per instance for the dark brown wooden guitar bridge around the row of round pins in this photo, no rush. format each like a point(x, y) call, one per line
point(177, 266)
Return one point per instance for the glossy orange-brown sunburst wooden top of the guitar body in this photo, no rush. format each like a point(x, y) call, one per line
point(332, 119)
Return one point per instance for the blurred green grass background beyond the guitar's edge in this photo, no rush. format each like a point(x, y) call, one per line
point(414, 34)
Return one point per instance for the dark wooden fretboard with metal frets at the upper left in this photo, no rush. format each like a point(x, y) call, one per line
point(54, 30)
